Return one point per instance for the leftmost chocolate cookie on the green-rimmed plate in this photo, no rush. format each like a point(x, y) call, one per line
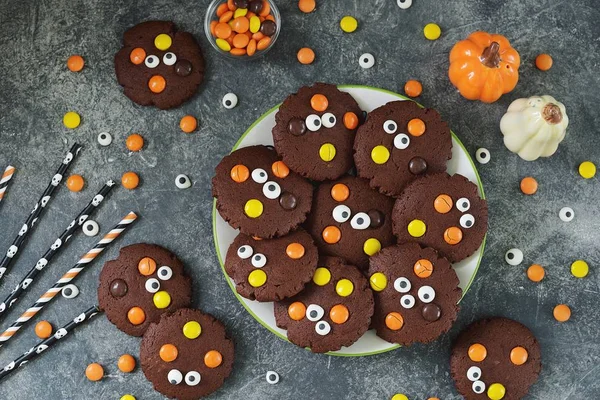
point(257, 193)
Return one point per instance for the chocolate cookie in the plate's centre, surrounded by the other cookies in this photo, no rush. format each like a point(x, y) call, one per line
point(351, 220)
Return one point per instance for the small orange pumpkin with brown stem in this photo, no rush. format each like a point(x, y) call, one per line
point(484, 67)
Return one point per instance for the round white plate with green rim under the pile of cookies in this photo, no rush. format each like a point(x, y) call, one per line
point(368, 98)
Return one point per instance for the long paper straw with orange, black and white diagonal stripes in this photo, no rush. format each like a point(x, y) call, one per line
point(67, 278)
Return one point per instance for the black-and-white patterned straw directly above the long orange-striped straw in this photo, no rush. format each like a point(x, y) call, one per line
point(54, 249)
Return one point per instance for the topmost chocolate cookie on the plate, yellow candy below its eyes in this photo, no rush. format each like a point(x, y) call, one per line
point(314, 131)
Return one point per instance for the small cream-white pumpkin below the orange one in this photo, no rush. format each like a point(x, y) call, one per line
point(534, 127)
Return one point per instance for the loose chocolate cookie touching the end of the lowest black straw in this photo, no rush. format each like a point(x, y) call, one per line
point(144, 282)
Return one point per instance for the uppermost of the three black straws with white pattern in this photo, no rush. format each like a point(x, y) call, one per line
point(38, 209)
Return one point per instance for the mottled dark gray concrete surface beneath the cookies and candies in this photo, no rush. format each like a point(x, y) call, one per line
point(36, 37)
